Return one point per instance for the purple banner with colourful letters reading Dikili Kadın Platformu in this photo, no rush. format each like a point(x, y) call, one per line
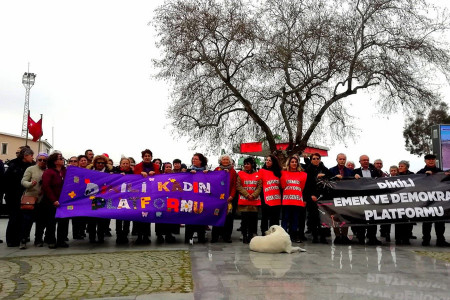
point(178, 198)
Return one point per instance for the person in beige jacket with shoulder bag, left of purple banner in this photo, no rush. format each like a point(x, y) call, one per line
point(32, 182)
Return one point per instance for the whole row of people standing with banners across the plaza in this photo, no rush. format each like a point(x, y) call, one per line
point(280, 193)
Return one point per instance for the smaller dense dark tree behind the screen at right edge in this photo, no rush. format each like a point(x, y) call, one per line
point(417, 131)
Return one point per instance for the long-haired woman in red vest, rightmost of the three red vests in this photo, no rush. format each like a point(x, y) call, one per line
point(293, 183)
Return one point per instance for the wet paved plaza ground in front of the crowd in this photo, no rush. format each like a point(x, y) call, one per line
point(224, 271)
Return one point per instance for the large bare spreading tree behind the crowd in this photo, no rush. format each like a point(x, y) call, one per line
point(251, 70)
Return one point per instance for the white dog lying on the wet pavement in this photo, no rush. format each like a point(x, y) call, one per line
point(276, 240)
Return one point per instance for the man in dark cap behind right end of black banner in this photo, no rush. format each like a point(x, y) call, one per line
point(439, 227)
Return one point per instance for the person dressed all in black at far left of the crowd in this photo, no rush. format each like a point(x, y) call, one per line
point(13, 194)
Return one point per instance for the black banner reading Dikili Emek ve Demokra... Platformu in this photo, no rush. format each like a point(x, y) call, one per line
point(388, 200)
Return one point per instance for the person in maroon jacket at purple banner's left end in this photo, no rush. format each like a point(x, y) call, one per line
point(52, 183)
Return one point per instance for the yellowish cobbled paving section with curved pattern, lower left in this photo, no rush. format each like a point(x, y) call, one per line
point(95, 275)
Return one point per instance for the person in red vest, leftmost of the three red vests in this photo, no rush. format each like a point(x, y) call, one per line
point(249, 187)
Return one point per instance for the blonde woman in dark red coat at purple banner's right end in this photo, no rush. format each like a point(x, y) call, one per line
point(227, 229)
